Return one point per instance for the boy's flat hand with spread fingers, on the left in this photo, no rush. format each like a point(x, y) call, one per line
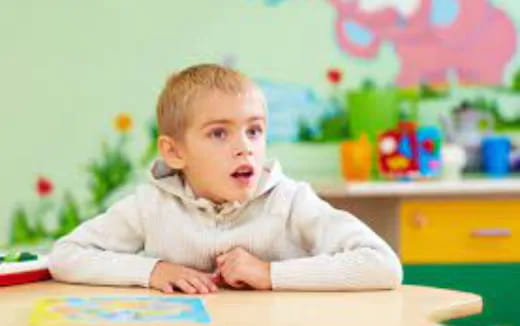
point(167, 277)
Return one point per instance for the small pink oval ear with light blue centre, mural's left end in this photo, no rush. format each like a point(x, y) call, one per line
point(356, 39)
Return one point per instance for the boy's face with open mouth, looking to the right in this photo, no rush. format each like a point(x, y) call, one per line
point(224, 146)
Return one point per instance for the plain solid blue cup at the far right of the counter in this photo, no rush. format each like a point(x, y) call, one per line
point(495, 155)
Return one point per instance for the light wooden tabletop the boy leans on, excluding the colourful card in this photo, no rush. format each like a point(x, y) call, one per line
point(409, 305)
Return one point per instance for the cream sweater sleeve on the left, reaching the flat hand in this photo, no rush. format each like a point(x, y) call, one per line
point(104, 250)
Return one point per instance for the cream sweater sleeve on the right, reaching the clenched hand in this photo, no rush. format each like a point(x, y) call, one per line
point(344, 254)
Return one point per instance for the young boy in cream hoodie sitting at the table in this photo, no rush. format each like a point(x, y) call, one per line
point(215, 212)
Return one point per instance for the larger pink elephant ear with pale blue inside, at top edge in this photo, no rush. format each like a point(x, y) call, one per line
point(454, 21)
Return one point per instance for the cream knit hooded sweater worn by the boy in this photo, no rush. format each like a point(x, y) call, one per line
point(311, 245)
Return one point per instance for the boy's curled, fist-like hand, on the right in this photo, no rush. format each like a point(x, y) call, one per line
point(239, 268)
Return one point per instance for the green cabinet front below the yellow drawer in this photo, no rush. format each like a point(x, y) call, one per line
point(498, 284)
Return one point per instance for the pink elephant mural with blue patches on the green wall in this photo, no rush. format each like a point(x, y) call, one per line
point(472, 38)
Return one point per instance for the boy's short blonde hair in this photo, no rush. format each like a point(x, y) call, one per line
point(183, 87)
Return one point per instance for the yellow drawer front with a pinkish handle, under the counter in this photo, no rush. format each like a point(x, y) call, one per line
point(459, 231)
